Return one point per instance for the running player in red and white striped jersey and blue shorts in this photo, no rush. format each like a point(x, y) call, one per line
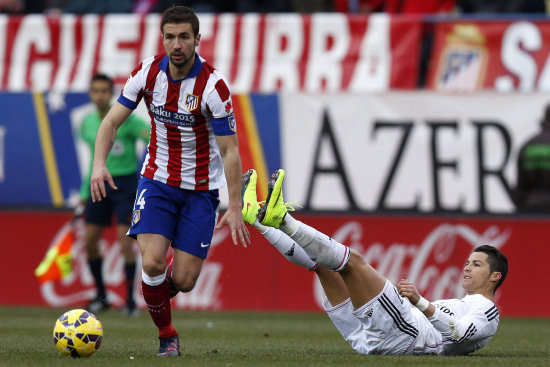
point(192, 153)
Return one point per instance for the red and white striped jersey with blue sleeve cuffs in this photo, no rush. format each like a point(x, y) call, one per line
point(186, 115)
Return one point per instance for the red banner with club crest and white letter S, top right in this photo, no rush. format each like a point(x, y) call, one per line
point(506, 56)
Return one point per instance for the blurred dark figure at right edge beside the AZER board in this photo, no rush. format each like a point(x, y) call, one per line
point(532, 192)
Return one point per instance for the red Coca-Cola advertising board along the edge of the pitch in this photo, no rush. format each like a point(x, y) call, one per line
point(430, 251)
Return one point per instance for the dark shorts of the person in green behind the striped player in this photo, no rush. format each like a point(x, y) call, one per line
point(118, 201)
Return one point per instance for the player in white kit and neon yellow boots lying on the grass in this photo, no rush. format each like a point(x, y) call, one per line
point(372, 314)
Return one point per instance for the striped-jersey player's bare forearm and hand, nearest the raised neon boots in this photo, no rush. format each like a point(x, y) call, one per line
point(229, 149)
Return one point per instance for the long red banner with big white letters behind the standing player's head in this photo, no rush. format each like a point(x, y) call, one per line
point(257, 53)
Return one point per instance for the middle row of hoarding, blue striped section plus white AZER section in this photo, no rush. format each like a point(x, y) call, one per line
point(416, 151)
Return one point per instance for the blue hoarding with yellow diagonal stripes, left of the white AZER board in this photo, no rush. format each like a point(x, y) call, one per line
point(43, 160)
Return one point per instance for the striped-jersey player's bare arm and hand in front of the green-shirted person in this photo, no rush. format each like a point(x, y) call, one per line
point(103, 143)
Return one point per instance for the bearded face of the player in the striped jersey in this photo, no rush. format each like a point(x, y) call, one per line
point(180, 43)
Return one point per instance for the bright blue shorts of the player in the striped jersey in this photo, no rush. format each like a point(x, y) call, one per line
point(186, 217)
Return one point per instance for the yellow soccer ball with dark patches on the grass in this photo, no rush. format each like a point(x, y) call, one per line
point(77, 333)
